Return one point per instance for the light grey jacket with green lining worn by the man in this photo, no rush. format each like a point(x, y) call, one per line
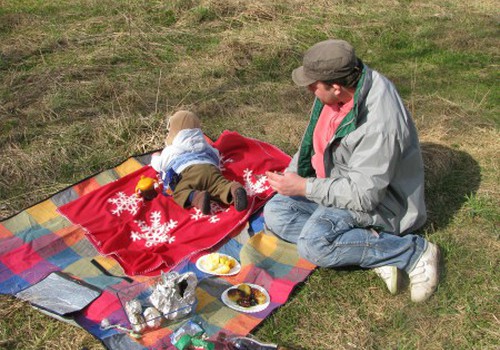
point(376, 170)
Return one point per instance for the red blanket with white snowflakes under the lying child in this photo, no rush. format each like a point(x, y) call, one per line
point(148, 236)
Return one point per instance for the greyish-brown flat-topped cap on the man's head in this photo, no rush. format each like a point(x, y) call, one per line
point(325, 61)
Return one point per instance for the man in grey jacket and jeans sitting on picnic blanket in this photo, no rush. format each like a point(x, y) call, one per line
point(354, 191)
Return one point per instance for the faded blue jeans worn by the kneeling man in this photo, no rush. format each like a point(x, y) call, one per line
point(328, 236)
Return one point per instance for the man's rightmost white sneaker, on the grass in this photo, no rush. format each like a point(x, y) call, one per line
point(424, 277)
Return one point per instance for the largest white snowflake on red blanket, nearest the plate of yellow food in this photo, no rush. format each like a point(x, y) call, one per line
point(156, 233)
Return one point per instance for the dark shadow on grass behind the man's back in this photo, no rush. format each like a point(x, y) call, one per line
point(450, 176)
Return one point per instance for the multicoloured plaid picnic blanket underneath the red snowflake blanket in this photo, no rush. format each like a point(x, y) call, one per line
point(39, 240)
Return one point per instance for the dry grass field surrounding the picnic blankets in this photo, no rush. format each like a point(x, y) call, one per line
point(86, 84)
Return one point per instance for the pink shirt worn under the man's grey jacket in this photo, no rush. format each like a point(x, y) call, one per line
point(328, 122)
